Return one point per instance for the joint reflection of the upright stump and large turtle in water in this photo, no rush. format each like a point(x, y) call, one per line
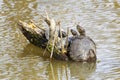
point(70, 70)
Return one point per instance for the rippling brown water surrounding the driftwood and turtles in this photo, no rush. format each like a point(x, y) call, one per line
point(20, 60)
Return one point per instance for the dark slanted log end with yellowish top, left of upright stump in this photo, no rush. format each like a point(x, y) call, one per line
point(33, 33)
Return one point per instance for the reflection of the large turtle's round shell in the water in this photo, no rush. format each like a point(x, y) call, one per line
point(83, 70)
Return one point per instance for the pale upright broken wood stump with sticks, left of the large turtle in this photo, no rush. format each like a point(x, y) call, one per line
point(54, 40)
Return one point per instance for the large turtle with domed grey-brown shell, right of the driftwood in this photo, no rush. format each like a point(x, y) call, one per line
point(82, 47)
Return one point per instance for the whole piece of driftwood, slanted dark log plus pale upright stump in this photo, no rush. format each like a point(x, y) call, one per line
point(36, 35)
